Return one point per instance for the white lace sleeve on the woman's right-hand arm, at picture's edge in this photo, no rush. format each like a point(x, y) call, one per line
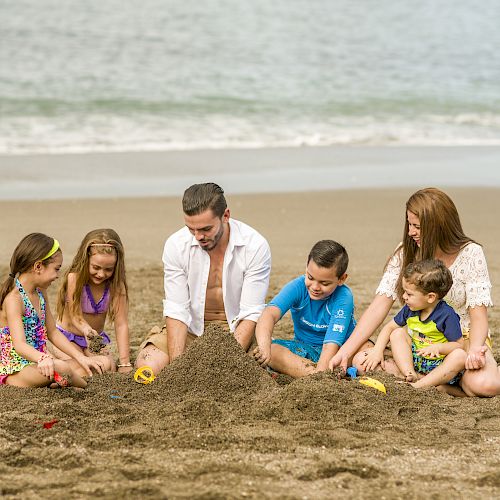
point(476, 277)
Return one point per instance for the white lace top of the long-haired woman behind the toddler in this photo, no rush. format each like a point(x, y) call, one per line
point(471, 282)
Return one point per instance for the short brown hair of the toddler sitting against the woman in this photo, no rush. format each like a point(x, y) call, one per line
point(429, 276)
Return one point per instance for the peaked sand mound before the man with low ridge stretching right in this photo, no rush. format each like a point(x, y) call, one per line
point(215, 381)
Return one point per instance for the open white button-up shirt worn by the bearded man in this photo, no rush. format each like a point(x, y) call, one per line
point(245, 277)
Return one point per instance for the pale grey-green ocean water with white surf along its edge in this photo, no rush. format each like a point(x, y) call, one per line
point(154, 75)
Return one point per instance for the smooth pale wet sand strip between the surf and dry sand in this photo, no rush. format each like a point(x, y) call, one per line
point(260, 170)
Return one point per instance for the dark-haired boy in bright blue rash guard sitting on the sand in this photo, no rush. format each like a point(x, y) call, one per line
point(322, 309)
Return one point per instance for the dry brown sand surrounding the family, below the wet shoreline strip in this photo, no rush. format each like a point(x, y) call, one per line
point(213, 424)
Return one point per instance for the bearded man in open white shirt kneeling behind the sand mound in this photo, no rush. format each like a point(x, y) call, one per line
point(216, 270)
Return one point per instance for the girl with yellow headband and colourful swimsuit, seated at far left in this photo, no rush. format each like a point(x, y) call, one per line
point(26, 322)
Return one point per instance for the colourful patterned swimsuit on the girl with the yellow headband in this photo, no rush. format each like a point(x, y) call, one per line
point(34, 330)
